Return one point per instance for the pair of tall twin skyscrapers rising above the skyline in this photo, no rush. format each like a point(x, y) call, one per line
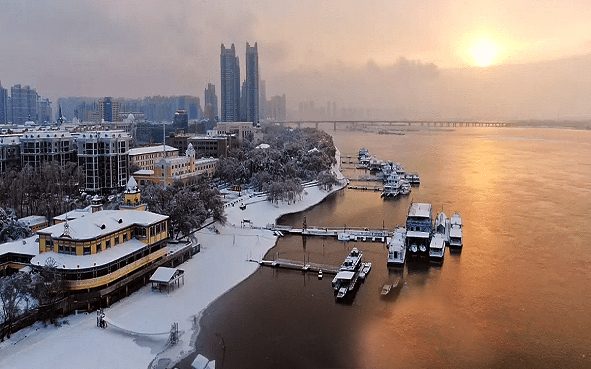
point(239, 105)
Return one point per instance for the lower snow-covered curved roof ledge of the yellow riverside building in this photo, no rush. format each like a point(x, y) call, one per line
point(66, 261)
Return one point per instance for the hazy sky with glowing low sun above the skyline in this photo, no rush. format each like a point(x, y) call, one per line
point(440, 58)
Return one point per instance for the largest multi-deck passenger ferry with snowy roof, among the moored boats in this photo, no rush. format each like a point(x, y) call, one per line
point(419, 227)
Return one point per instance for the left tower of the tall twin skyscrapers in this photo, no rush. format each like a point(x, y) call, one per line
point(230, 82)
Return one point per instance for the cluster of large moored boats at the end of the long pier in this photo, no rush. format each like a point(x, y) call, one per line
point(423, 236)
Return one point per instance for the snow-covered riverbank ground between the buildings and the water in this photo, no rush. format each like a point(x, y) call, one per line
point(221, 264)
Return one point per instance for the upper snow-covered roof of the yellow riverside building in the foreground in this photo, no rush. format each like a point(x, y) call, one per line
point(104, 222)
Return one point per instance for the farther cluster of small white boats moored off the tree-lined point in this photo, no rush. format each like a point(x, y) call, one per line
point(396, 180)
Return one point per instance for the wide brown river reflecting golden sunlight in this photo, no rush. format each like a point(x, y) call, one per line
point(517, 296)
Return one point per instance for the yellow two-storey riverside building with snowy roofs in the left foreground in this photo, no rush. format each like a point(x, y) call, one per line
point(100, 248)
